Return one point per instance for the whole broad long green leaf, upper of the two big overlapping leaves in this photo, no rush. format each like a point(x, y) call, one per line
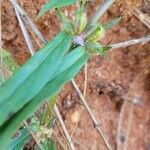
point(32, 77)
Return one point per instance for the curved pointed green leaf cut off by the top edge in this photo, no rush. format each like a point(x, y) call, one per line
point(55, 4)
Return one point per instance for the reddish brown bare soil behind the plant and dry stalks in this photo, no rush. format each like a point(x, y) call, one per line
point(111, 81)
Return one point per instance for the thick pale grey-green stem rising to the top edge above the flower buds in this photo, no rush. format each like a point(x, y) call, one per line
point(100, 11)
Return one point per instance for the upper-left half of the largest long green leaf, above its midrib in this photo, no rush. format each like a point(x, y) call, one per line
point(31, 65)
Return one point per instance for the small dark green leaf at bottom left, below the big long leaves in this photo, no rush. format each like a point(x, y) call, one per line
point(19, 142)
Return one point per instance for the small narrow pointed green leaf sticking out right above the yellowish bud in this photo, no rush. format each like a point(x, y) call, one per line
point(112, 23)
